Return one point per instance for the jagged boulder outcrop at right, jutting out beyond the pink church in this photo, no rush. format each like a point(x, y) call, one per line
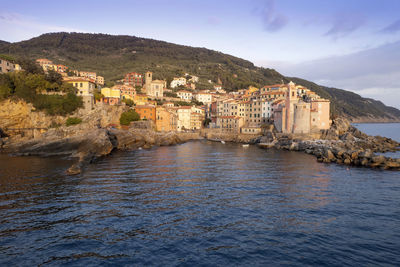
point(342, 144)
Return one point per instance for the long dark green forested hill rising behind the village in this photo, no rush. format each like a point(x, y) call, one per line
point(114, 55)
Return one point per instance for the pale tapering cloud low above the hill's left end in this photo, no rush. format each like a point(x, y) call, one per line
point(17, 27)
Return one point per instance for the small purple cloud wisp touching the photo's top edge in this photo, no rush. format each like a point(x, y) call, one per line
point(272, 21)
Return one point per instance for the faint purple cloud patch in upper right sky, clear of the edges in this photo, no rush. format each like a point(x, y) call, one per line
point(344, 25)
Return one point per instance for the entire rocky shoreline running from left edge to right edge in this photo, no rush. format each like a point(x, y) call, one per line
point(341, 144)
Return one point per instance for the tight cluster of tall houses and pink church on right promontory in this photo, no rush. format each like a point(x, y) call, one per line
point(291, 108)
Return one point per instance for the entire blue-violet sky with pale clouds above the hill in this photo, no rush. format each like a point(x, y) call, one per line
point(348, 44)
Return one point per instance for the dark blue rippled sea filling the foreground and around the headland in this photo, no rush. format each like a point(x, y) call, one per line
point(200, 203)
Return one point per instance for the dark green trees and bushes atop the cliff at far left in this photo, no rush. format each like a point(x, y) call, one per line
point(43, 91)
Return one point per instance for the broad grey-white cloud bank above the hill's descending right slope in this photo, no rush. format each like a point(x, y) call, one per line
point(371, 73)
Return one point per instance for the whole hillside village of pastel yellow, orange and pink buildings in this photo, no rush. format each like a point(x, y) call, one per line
point(180, 106)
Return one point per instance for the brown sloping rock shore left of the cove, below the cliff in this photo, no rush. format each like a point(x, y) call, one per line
point(86, 146)
